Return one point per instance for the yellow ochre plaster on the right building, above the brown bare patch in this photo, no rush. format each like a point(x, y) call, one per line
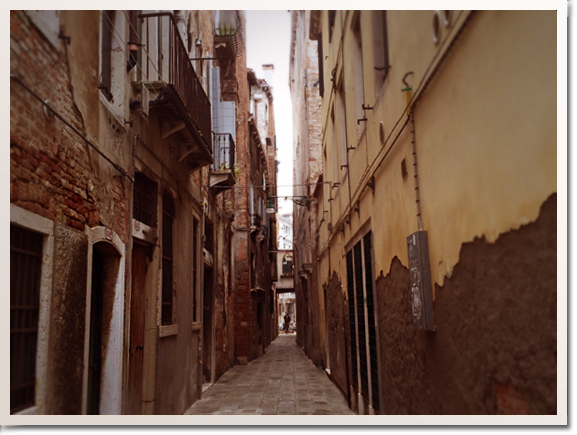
point(485, 131)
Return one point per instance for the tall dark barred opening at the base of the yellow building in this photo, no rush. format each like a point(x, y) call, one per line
point(362, 320)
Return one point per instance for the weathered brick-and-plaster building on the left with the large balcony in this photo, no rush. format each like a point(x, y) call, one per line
point(121, 208)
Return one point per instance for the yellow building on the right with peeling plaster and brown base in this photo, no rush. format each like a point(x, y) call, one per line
point(437, 231)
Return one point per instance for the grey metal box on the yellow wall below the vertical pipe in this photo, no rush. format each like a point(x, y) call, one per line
point(420, 276)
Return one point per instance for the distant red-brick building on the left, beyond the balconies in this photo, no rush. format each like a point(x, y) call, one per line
point(254, 229)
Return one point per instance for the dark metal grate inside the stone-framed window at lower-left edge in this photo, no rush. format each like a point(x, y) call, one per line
point(25, 269)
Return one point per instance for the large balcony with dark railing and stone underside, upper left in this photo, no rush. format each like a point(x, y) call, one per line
point(171, 89)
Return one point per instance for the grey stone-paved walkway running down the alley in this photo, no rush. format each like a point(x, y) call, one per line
point(283, 381)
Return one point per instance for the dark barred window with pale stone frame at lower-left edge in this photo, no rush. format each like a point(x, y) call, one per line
point(23, 272)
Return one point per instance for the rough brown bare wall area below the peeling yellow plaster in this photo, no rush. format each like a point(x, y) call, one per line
point(494, 350)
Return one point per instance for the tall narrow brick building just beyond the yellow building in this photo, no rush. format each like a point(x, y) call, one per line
point(305, 95)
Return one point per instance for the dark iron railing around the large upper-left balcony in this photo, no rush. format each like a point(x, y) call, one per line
point(167, 70)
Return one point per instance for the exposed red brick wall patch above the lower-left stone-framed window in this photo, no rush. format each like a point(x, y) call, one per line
point(52, 169)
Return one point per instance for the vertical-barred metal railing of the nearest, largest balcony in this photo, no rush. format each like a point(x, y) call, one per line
point(173, 64)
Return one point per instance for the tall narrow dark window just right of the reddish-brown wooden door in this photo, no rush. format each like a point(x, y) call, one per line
point(168, 215)
